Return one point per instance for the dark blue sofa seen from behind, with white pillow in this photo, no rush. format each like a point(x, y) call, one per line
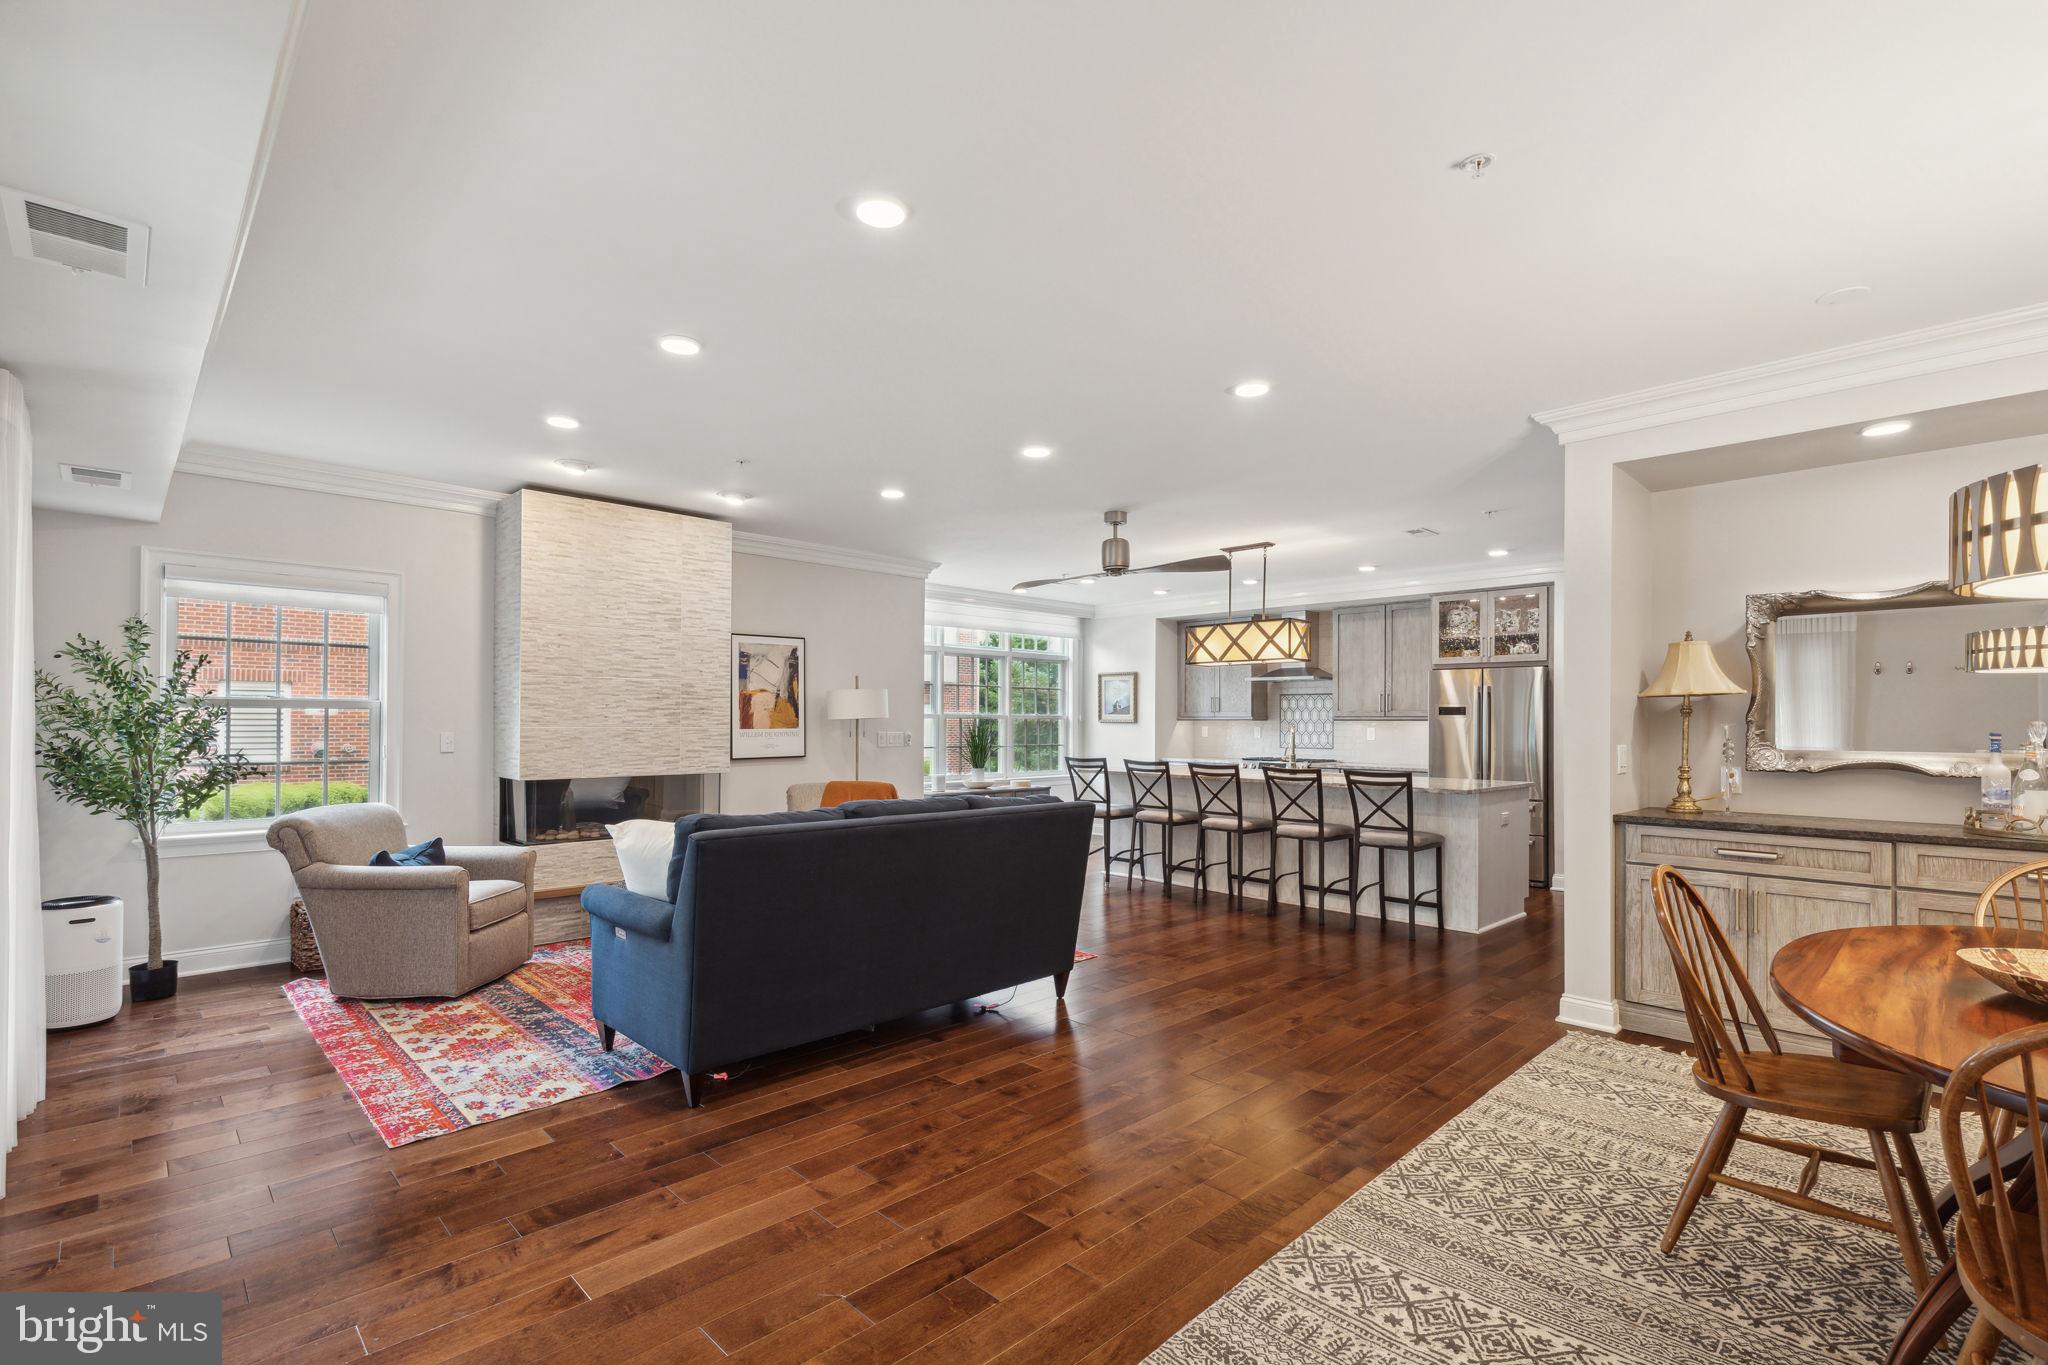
point(787, 928)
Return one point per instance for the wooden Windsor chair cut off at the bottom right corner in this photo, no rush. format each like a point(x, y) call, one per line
point(2002, 1239)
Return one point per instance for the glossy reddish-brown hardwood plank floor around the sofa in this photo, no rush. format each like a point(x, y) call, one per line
point(1025, 1186)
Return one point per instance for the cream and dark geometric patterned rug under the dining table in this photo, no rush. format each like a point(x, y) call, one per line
point(1527, 1233)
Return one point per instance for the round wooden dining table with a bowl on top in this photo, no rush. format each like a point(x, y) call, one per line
point(1900, 998)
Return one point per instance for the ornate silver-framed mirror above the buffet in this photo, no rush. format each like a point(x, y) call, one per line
point(1879, 680)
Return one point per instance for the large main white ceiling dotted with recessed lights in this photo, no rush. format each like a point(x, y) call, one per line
point(484, 212)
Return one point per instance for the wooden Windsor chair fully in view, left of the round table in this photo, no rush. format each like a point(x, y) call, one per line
point(1748, 1069)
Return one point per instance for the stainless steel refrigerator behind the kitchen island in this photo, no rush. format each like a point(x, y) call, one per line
point(1496, 723)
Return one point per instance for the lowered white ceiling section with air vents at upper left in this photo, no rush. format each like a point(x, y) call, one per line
point(148, 112)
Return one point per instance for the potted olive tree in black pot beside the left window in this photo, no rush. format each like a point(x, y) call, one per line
point(122, 740)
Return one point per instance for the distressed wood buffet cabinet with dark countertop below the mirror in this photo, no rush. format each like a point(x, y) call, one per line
point(1770, 879)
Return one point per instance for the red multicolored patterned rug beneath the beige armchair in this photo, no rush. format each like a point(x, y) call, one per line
point(423, 1069)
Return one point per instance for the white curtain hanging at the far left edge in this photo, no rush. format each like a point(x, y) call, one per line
point(22, 901)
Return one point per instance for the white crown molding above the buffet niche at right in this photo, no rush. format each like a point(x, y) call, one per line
point(1906, 355)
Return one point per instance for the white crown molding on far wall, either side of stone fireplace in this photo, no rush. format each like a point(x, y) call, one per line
point(290, 472)
